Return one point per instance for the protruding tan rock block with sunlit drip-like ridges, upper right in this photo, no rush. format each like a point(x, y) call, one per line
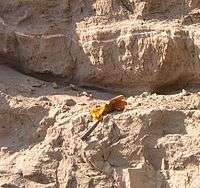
point(151, 58)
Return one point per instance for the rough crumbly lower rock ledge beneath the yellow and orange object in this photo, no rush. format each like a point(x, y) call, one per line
point(154, 142)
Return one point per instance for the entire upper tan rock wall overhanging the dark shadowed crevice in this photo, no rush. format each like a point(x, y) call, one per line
point(104, 42)
